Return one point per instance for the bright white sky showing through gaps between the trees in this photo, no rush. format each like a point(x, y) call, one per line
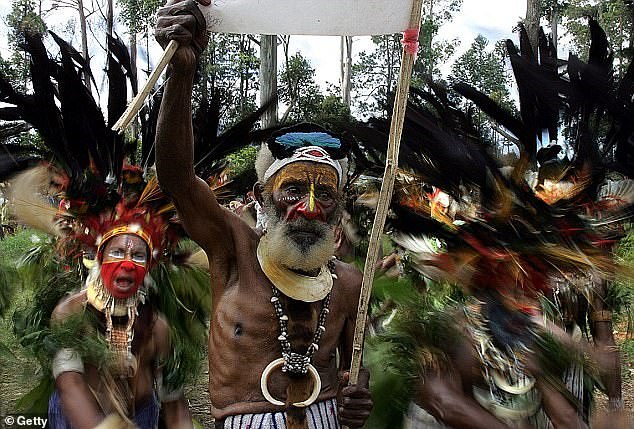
point(494, 19)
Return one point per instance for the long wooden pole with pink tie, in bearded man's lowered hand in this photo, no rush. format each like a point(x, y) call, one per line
point(385, 196)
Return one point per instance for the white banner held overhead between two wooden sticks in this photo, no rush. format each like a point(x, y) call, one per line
point(308, 17)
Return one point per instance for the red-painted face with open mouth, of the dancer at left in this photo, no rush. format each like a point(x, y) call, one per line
point(124, 264)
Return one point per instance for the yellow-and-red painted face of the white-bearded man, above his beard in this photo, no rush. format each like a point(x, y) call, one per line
point(307, 190)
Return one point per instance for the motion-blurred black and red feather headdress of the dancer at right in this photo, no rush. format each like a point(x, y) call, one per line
point(509, 236)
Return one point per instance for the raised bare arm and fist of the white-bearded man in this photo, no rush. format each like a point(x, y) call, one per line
point(202, 216)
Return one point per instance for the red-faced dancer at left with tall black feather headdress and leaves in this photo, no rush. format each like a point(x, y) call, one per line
point(119, 350)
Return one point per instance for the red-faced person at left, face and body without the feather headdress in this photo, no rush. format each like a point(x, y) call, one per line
point(130, 392)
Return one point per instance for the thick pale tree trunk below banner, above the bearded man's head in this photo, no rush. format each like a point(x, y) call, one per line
point(268, 78)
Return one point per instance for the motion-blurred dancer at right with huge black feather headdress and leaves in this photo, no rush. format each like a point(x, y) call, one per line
point(494, 362)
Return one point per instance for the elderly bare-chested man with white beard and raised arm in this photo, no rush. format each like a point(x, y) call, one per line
point(284, 309)
